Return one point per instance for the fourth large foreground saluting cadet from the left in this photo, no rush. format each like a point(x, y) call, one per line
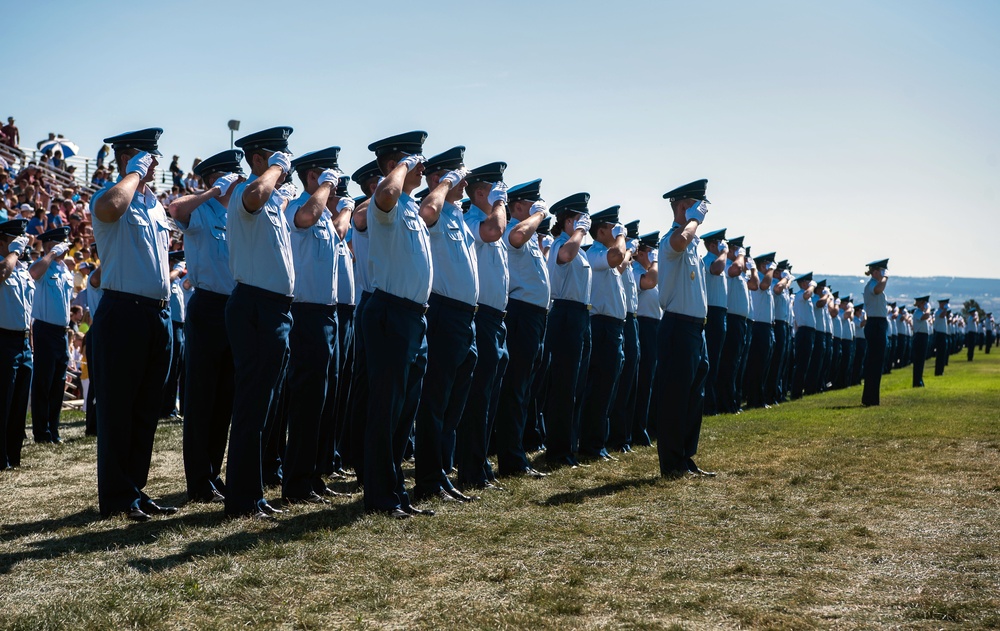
point(316, 220)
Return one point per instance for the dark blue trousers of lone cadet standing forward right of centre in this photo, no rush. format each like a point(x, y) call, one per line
point(682, 367)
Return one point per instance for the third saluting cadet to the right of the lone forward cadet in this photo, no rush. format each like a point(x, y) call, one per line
point(762, 338)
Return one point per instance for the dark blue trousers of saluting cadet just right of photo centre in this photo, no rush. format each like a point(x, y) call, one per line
point(525, 333)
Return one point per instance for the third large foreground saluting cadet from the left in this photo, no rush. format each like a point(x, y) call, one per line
point(258, 316)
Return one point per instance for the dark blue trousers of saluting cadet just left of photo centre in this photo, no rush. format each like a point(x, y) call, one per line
point(474, 431)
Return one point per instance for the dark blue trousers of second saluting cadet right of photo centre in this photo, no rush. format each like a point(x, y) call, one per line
point(566, 338)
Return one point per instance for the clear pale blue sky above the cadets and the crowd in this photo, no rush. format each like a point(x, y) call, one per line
point(833, 133)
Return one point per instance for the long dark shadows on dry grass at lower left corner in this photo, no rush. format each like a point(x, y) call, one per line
point(286, 528)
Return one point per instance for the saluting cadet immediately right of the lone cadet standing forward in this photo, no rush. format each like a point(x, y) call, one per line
point(716, 283)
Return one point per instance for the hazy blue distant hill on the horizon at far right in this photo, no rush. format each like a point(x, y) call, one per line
point(985, 291)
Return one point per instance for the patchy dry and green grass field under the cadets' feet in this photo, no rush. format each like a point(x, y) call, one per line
point(824, 515)
